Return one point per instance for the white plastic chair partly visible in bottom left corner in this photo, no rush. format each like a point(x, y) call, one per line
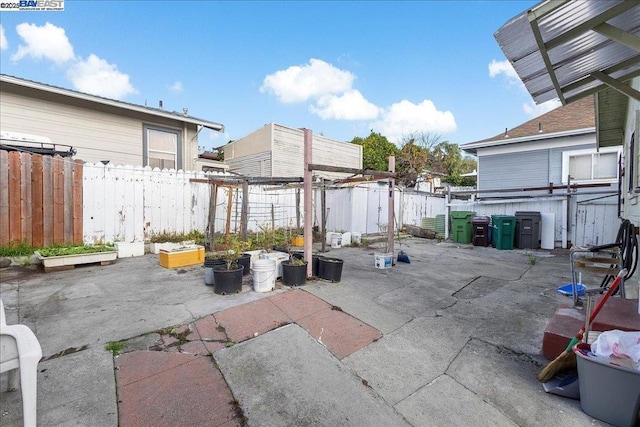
point(20, 351)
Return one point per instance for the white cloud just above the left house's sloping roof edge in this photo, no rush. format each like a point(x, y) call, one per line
point(98, 77)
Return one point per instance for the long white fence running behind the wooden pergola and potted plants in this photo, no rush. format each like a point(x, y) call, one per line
point(129, 204)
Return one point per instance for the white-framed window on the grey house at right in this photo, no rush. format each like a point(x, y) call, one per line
point(591, 165)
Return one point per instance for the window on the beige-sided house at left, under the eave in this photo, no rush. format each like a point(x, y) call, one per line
point(162, 147)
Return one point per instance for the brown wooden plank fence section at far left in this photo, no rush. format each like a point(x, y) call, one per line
point(40, 199)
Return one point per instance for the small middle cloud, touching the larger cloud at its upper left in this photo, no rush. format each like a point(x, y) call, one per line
point(348, 106)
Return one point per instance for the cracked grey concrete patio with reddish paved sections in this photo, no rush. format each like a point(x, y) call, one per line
point(453, 338)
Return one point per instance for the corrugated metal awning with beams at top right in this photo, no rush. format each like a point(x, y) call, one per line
point(570, 49)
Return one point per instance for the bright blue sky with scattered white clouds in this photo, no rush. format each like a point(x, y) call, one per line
point(337, 68)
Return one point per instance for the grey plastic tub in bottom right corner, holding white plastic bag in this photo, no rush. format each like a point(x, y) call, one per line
point(610, 393)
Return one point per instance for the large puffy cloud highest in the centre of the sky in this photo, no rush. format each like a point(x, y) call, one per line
point(312, 80)
